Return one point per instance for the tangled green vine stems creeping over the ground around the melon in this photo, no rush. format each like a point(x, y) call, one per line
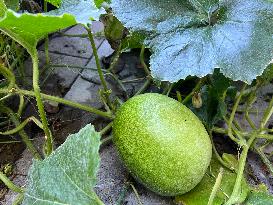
point(246, 140)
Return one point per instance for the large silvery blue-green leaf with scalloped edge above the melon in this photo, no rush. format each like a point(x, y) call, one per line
point(187, 39)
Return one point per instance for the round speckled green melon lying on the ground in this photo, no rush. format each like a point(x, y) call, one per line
point(162, 143)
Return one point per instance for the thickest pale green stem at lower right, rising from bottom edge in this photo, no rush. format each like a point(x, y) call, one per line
point(237, 187)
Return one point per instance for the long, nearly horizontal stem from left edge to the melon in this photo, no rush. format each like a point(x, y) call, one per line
point(62, 101)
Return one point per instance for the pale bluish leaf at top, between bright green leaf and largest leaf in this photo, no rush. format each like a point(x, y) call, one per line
point(83, 10)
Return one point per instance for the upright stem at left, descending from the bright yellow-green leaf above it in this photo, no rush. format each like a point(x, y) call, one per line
point(36, 88)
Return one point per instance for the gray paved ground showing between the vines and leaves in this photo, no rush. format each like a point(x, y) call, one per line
point(82, 85)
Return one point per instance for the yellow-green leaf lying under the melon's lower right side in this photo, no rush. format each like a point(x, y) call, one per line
point(201, 193)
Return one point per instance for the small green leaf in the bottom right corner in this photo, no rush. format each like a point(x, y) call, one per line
point(259, 198)
